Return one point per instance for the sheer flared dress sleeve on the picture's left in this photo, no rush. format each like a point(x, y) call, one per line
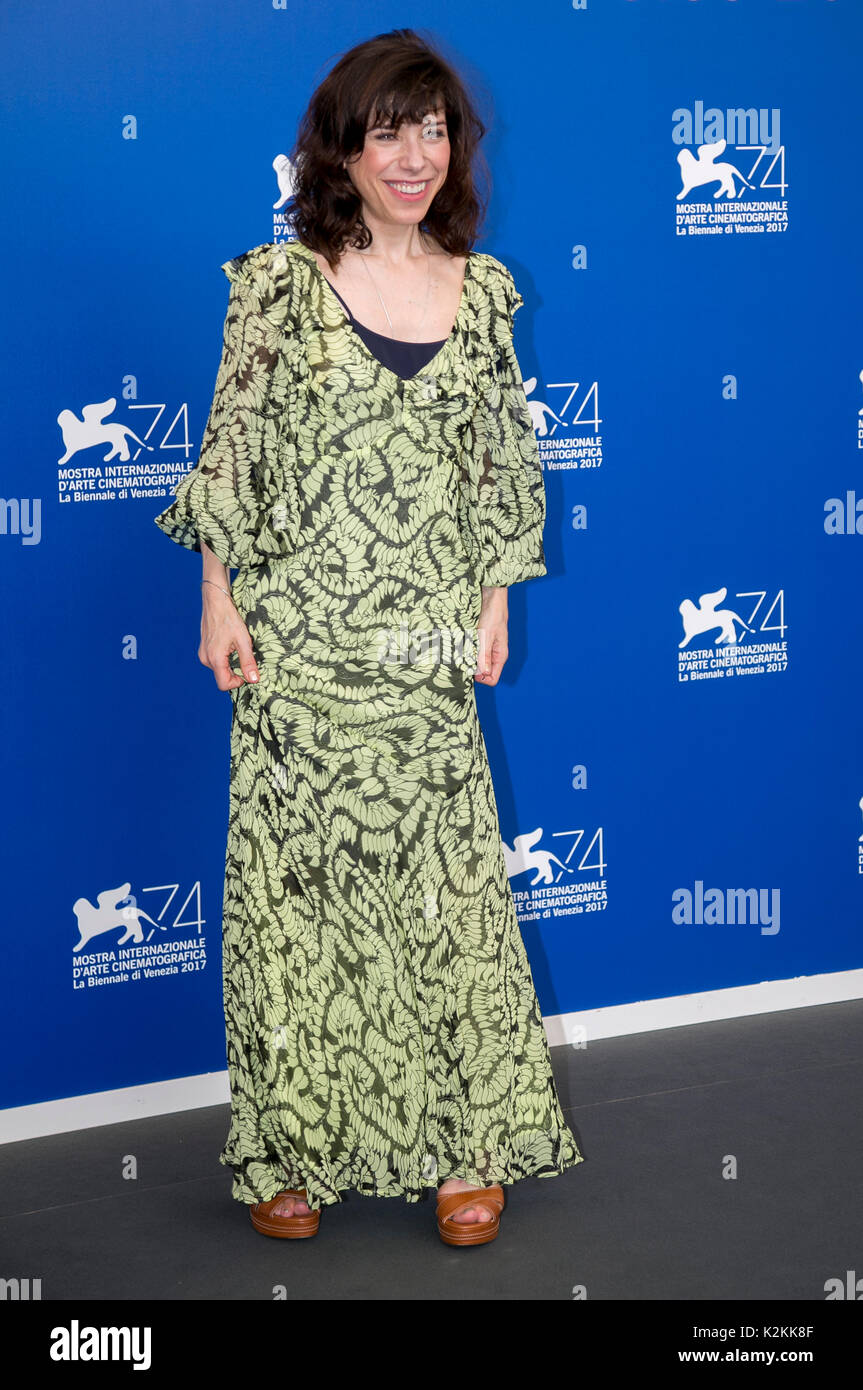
point(223, 500)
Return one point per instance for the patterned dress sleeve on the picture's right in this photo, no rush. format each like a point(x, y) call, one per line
point(511, 498)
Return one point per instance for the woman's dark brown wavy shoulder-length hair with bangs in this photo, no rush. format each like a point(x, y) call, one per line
point(388, 80)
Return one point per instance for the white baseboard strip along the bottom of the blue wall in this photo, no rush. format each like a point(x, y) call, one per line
point(190, 1093)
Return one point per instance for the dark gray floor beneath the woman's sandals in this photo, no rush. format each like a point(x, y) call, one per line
point(647, 1217)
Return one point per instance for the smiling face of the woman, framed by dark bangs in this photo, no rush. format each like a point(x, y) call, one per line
point(400, 172)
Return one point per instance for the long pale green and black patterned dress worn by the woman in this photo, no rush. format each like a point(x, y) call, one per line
point(383, 1027)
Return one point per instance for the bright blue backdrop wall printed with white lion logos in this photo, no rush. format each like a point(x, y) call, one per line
point(680, 714)
